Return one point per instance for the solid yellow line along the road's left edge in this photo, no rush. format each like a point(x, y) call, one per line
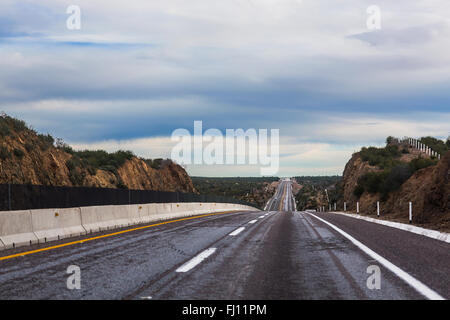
point(106, 236)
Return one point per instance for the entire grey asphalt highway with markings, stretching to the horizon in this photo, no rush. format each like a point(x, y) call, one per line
point(275, 254)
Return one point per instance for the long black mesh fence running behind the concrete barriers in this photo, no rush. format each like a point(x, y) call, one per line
point(23, 197)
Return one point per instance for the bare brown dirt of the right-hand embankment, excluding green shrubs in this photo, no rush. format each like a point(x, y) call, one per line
point(428, 189)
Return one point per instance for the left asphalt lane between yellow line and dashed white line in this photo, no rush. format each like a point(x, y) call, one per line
point(114, 267)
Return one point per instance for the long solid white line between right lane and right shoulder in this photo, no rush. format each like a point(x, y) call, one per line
point(413, 282)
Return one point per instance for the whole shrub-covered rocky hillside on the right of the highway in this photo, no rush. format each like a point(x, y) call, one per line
point(396, 175)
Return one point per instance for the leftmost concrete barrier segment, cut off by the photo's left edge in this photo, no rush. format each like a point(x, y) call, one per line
point(16, 229)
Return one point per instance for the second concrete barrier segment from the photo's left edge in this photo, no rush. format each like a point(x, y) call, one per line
point(55, 224)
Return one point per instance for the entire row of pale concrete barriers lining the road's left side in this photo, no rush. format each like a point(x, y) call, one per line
point(20, 228)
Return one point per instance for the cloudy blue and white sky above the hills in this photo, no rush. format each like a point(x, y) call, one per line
point(138, 70)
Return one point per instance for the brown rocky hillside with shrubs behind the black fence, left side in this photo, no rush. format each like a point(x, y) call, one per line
point(27, 157)
